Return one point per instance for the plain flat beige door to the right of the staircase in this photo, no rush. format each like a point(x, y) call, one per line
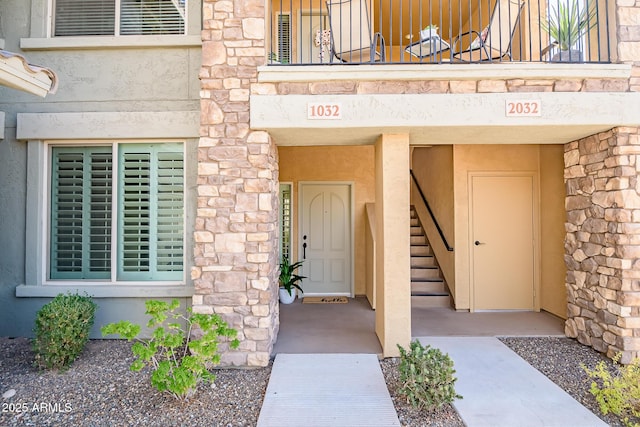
point(502, 242)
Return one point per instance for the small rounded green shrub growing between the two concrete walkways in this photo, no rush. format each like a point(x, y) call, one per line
point(426, 375)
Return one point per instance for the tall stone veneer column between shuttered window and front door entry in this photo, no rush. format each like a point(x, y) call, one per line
point(235, 251)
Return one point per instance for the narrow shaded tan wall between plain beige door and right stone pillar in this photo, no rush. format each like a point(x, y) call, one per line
point(553, 295)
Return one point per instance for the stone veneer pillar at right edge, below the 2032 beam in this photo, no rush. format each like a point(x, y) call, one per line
point(602, 245)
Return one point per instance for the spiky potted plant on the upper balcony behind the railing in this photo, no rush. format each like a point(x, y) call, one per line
point(567, 23)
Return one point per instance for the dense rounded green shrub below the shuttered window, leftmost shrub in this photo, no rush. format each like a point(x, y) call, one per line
point(62, 330)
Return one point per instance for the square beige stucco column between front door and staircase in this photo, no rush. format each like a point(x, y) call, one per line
point(393, 271)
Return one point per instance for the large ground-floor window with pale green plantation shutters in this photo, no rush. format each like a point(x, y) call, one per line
point(116, 212)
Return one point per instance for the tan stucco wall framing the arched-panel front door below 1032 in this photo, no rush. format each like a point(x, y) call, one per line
point(354, 164)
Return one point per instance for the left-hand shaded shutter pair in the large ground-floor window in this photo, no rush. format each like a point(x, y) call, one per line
point(81, 213)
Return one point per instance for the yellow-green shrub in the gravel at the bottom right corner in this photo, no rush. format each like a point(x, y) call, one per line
point(617, 391)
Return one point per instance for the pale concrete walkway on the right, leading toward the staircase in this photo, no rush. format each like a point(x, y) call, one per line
point(499, 388)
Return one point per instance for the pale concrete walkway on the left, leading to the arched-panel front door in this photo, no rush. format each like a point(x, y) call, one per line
point(332, 390)
